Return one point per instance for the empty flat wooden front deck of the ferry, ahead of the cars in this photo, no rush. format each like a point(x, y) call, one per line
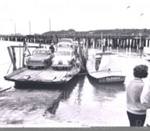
point(48, 75)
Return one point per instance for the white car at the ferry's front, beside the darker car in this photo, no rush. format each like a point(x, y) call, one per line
point(64, 59)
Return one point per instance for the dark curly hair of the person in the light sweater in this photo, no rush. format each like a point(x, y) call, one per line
point(140, 71)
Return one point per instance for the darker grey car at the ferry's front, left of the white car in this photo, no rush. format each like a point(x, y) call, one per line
point(40, 58)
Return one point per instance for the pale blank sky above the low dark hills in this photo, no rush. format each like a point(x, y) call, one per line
point(39, 16)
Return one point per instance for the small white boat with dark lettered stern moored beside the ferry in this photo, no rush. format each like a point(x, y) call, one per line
point(104, 67)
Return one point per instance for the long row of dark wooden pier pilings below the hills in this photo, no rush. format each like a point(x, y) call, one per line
point(93, 41)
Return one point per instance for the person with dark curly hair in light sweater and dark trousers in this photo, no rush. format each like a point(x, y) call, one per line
point(136, 111)
